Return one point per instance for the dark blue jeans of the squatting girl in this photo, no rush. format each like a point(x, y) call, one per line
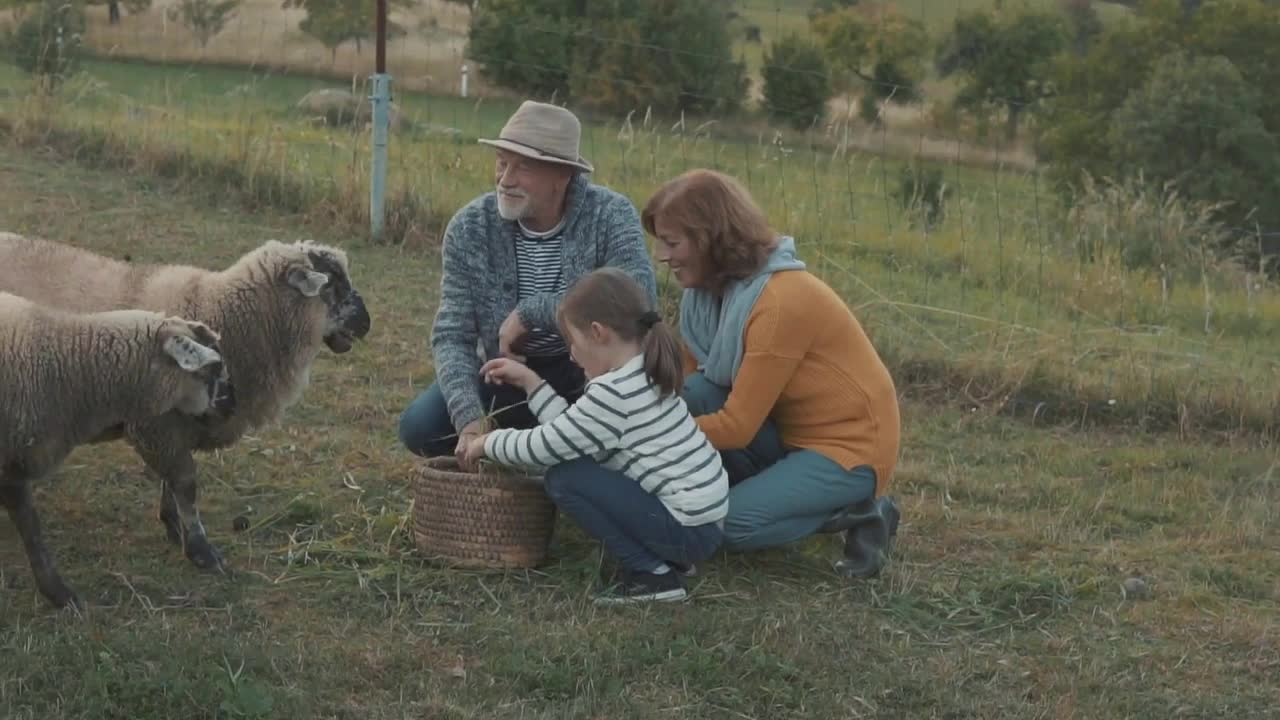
point(634, 526)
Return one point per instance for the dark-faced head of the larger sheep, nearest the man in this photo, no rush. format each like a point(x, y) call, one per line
point(322, 272)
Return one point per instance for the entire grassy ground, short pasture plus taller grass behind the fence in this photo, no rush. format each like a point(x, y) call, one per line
point(1068, 427)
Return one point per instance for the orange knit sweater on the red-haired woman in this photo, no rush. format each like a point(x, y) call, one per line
point(808, 363)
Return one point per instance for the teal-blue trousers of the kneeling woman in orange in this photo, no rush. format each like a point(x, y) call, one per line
point(778, 495)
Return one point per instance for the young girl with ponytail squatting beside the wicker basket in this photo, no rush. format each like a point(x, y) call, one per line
point(627, 462)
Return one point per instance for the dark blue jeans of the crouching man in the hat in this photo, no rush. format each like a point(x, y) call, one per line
point(427, 430)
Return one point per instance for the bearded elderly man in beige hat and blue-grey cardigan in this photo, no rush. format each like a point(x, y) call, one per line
point(509, 258)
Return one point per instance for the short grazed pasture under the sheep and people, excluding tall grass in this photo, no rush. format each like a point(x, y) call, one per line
point(1004, 599)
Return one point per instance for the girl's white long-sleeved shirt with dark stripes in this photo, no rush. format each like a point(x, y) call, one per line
point(623, 423)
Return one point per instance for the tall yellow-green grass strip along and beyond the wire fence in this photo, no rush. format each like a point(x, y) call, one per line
point(995, 306)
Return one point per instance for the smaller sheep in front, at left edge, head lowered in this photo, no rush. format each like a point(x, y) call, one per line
point(68, 377)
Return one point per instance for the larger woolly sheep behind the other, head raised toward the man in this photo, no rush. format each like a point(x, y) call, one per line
point(273, 308)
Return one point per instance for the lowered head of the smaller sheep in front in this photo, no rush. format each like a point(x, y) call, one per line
point(203, 381)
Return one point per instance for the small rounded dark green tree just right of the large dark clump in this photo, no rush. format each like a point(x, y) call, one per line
point(797, 81)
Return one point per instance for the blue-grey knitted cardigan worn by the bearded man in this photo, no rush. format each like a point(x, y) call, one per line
point(478, 286)
